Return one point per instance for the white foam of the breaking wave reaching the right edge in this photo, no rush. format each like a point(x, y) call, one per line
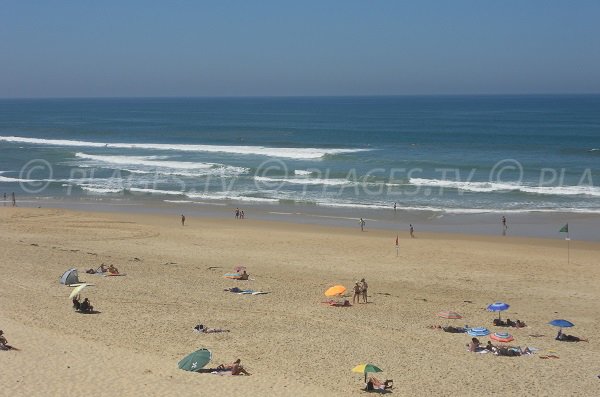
point(488, 187)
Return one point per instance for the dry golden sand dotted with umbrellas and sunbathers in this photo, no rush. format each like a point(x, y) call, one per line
point(292, 343)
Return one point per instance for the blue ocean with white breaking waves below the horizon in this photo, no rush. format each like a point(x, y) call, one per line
point(435, 155)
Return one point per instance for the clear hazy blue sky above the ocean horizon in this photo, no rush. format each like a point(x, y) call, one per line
point(275, 47)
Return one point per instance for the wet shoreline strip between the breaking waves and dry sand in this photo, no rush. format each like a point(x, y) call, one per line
point(583, 226)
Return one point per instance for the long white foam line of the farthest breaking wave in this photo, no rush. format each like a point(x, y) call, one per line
point(293, 153)
